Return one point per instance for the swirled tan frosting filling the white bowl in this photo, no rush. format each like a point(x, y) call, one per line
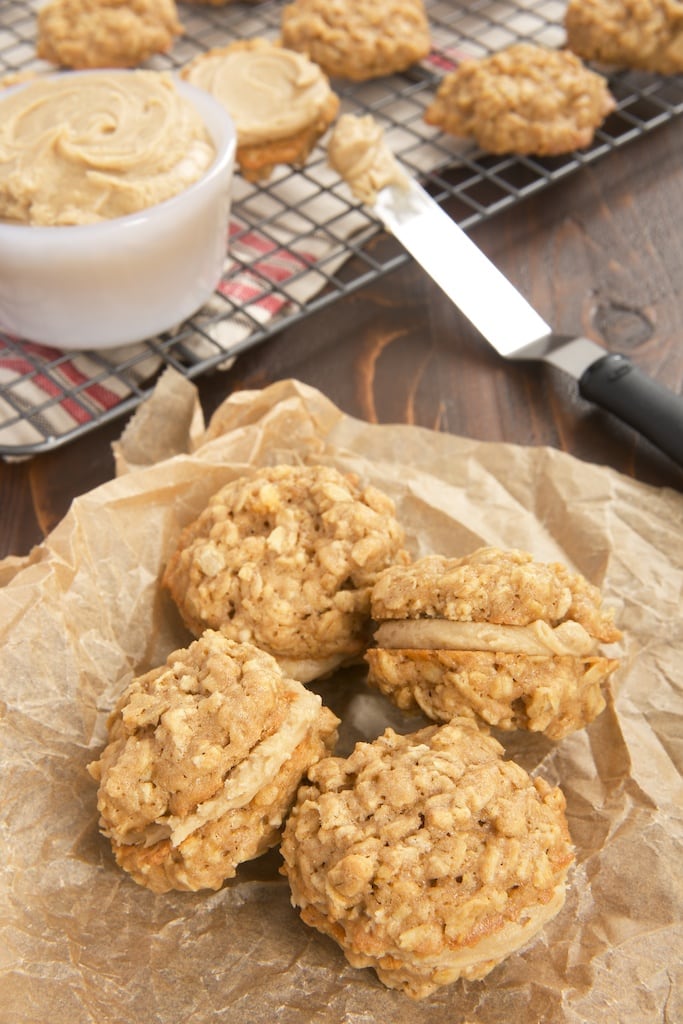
point(84, 148)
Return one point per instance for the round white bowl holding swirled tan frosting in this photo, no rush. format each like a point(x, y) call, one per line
point(124, 280)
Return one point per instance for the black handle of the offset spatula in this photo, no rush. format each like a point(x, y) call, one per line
point(616, 385)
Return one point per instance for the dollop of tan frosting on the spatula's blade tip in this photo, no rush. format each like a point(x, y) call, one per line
point(358, 151)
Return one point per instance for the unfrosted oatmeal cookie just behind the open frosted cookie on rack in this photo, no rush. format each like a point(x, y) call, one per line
point(359, 41)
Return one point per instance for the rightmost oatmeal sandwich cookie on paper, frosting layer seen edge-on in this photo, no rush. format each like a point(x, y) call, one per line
point(496, 635)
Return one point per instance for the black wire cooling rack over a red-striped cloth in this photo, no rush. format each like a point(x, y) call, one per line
point(300, 242)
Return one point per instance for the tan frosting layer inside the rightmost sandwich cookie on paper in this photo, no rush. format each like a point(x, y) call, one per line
point(441, 634)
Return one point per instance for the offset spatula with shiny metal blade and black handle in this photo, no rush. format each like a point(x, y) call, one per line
point(516, 330)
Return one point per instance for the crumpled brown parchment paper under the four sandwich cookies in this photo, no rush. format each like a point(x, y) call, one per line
point(81, 943)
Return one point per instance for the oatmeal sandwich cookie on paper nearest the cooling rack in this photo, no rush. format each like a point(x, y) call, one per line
point(286, 559)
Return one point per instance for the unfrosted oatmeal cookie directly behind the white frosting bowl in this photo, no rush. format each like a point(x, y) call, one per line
point(82, 34)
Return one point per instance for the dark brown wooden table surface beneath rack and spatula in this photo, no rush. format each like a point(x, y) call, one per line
point(600, 253)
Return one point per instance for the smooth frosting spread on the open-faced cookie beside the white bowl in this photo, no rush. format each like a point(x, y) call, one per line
point(270, 92)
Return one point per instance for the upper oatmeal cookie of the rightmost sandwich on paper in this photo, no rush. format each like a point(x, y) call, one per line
point(494, 586)
